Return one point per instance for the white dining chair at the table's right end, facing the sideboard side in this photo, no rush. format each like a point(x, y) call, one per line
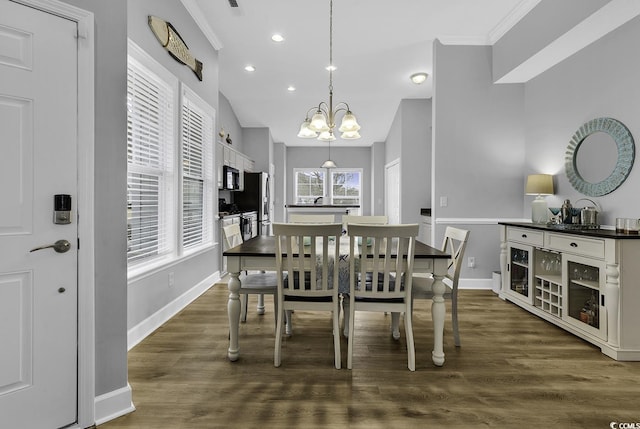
point(454, 243)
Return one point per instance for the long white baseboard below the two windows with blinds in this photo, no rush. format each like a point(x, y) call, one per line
point(153, 322)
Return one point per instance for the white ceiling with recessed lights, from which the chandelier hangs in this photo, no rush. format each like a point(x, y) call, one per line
point(377, 45)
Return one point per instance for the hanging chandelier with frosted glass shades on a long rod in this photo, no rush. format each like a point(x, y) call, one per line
point(322, 123)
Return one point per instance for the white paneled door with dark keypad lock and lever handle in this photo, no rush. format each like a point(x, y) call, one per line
point(38, 159)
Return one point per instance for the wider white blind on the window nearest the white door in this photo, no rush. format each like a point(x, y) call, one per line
point(150, 172)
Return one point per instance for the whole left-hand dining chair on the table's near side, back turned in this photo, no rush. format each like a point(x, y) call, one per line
point(307, 275)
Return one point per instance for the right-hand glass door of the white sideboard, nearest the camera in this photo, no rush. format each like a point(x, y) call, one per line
point(585, 300)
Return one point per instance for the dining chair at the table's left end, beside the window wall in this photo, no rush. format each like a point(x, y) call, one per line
point(260, 283)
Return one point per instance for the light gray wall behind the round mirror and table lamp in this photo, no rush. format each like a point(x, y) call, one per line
point(601, 80)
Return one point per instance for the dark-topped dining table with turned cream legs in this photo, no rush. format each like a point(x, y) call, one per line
point(259, 253)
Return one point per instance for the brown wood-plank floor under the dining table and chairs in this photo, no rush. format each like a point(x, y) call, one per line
point(512, 371)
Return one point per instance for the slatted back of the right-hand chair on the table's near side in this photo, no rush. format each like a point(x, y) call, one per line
point(381, 267)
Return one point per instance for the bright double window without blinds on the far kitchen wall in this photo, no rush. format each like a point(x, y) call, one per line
point(339, 186)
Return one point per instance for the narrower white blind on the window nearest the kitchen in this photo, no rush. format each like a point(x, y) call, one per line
point(197, 170)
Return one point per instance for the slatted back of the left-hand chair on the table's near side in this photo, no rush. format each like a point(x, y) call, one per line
point(307, 256)
